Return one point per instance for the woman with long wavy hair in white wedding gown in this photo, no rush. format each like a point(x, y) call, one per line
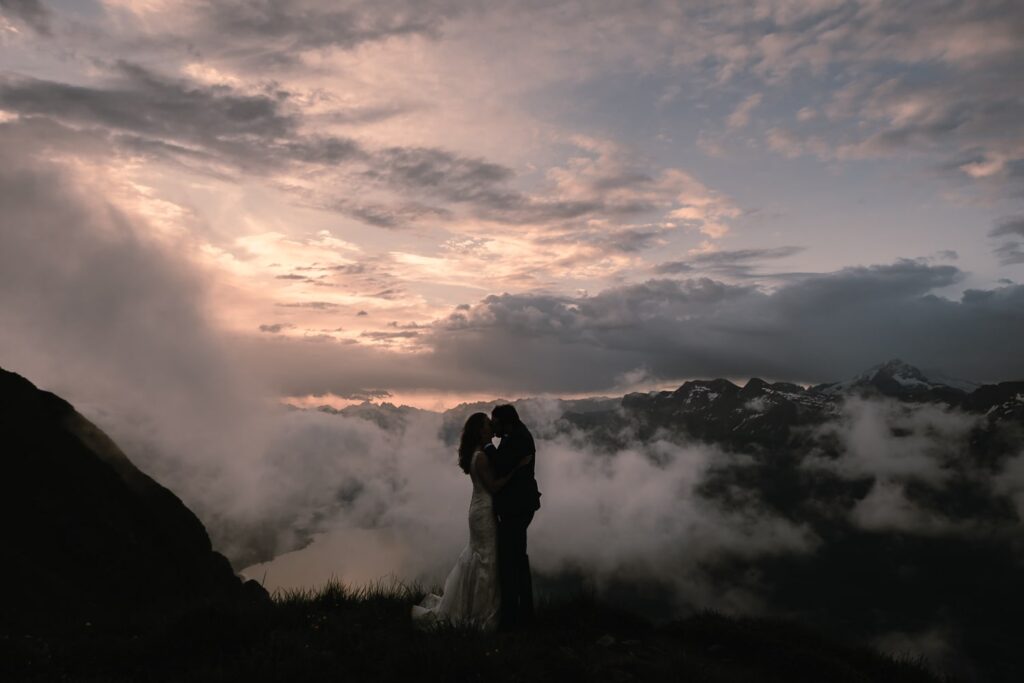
point(472, 597)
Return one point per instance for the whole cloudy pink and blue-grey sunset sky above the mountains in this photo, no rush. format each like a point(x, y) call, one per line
point(441, 200)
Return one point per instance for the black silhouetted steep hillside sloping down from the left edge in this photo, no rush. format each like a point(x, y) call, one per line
point(87, 536)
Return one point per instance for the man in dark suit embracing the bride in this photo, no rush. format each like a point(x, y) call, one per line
point(515, 506)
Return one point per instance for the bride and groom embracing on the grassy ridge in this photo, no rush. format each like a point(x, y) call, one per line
point(490, 587)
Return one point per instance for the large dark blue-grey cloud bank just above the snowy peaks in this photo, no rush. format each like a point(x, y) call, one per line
point(815, 329)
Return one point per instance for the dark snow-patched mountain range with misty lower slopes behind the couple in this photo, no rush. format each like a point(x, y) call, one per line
point(908, 486)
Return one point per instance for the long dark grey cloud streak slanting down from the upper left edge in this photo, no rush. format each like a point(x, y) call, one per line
point(218, 130)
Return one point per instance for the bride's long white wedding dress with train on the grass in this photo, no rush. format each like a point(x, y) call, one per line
point(472, 594)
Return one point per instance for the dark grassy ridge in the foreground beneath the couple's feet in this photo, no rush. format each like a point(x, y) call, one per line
point(340, 634)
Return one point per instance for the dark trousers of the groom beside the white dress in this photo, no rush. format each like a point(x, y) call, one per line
point(514, 568)
